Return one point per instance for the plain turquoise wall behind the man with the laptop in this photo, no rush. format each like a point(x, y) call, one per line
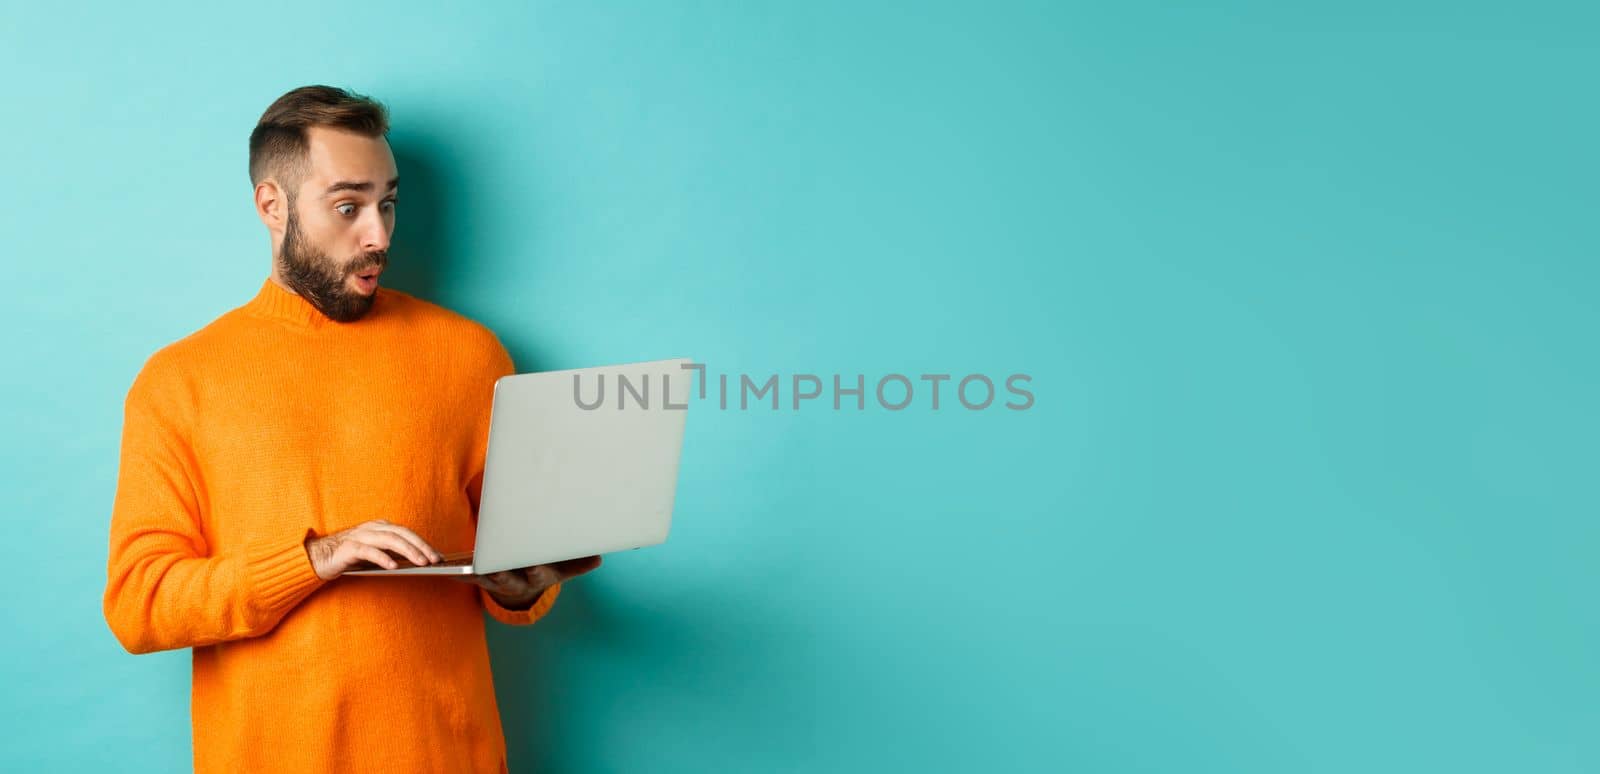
point(1306, 293)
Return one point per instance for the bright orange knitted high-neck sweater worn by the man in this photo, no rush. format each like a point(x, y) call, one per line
point(273, 425)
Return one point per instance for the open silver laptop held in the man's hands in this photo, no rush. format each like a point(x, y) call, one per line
point(580, 463)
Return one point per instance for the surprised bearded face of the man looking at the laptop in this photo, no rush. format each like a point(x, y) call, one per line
point(337, 237)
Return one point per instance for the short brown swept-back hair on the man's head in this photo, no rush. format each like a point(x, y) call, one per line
point(279, 145)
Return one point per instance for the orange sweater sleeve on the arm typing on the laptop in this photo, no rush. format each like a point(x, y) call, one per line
point(166, 589)
